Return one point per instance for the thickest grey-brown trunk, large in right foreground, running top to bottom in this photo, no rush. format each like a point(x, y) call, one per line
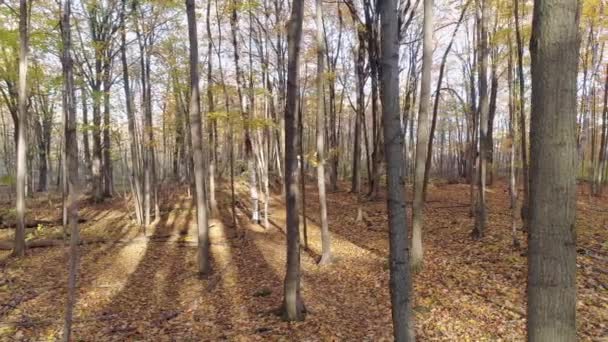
point(554, 49)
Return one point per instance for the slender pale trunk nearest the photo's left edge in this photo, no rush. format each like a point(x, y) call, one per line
point(21, 139)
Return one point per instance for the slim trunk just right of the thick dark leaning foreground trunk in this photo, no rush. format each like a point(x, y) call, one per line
point(423, 137)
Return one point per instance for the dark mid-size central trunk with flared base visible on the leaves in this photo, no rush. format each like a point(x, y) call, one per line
point(293, 304)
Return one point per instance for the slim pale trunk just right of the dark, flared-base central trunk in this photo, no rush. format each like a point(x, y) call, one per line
point(326, 242)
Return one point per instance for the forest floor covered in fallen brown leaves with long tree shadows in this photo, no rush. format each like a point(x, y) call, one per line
point(145, 287)
